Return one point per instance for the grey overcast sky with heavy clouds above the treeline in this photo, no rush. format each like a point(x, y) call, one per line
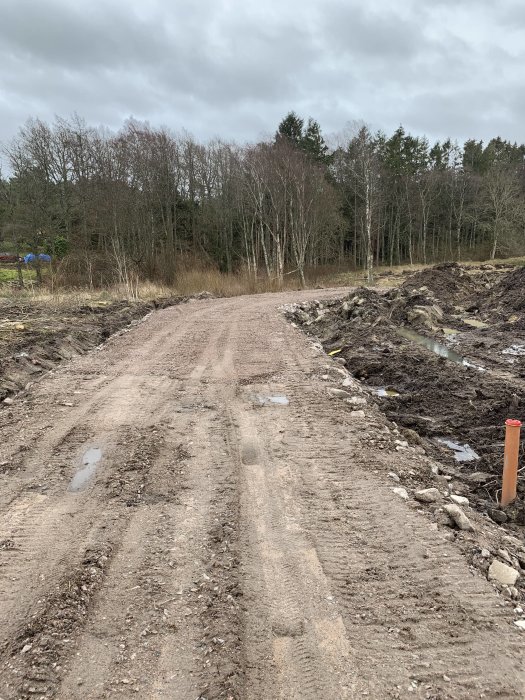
point(234, 69)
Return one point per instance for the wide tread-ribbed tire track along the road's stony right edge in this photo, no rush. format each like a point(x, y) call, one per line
point(394, 578)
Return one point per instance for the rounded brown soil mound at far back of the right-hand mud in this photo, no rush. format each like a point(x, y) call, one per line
point(449, 283)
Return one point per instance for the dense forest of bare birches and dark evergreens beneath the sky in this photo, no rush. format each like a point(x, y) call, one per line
point(157, 201)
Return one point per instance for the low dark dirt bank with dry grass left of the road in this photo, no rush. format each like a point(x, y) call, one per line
point(36, 337)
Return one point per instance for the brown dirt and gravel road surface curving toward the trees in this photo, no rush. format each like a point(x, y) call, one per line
point(223, 545)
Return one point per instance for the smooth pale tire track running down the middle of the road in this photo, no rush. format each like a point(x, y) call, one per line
point(301, 633)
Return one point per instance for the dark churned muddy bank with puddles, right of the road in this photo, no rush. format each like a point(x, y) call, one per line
point(444, 357)
